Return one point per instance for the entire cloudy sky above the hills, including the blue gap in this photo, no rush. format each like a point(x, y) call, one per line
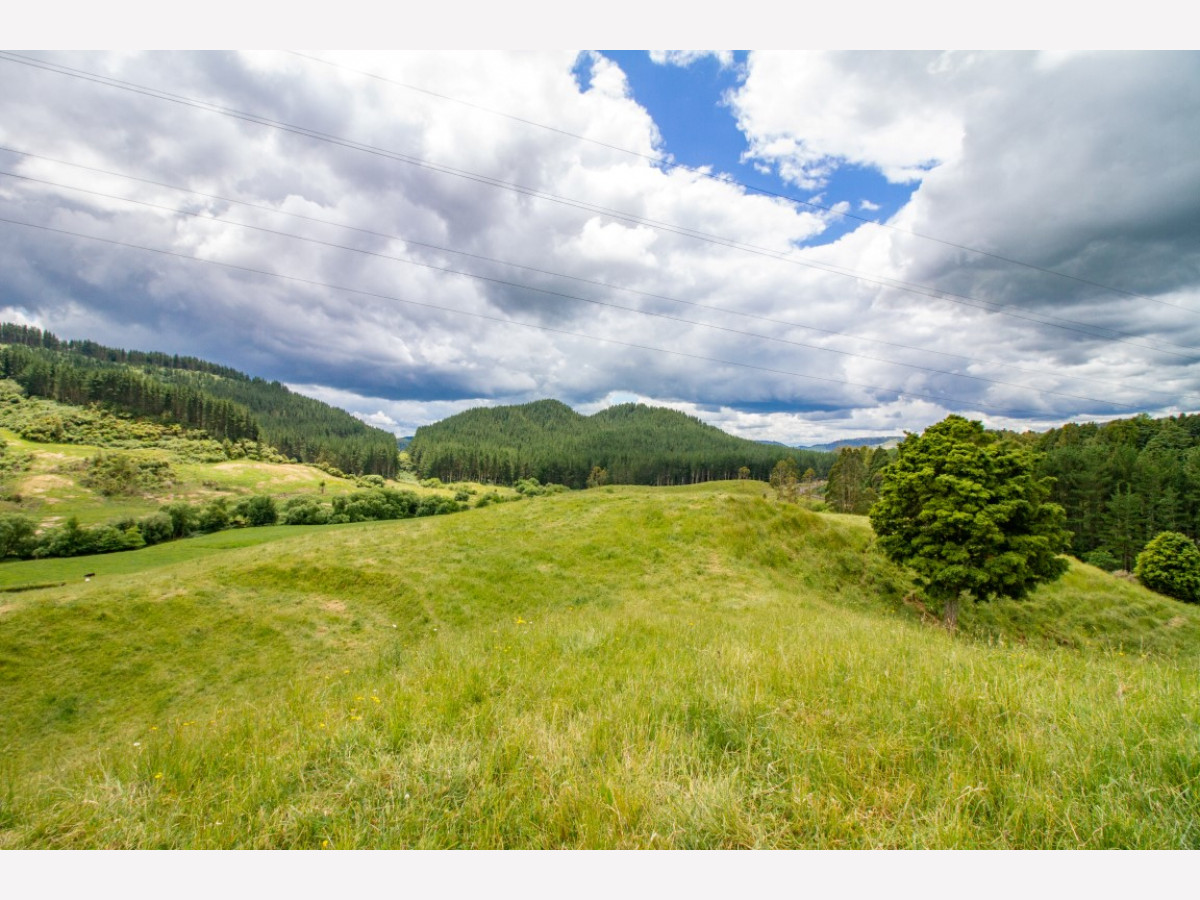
point(802, 247)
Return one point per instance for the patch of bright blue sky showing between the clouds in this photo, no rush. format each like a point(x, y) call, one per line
point(699, 128)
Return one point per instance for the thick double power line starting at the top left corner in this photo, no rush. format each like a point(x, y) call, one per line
point(1094, 332)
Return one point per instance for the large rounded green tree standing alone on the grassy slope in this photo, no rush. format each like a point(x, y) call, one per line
point(963, 508)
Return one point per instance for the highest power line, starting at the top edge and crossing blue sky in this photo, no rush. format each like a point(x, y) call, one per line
point(723, 178)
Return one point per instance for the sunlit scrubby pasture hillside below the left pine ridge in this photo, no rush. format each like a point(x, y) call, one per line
point(50, 485)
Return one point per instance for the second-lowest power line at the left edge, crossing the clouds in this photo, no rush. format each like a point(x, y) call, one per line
point(566, 296)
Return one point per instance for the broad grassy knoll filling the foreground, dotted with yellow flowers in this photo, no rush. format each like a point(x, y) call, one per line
point(621, 668)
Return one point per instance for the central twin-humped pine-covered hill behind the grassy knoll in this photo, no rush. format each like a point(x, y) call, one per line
point(631, 443)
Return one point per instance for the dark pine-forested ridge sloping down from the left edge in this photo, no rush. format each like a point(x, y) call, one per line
point(225, 404)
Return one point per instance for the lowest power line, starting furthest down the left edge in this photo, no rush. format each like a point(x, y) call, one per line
point(327, 286)
